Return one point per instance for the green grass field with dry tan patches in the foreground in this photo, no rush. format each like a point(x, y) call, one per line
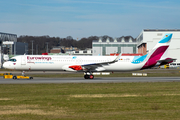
point(156, 100)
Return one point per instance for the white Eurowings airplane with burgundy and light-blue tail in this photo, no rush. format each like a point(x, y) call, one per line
point(90, 64)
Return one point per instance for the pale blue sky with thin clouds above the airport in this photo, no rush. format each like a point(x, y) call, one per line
point(85, 18)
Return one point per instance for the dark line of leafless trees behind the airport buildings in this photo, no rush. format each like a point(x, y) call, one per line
point(41, 43)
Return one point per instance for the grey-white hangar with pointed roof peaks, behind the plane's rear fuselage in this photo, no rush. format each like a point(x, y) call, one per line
point(120, 45)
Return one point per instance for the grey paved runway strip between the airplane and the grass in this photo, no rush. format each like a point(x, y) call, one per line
point(38, 80)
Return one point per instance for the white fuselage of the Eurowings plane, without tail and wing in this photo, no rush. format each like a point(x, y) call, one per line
point(62, 63)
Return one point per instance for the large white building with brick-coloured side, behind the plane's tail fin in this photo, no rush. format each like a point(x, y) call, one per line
point(148, 38)
